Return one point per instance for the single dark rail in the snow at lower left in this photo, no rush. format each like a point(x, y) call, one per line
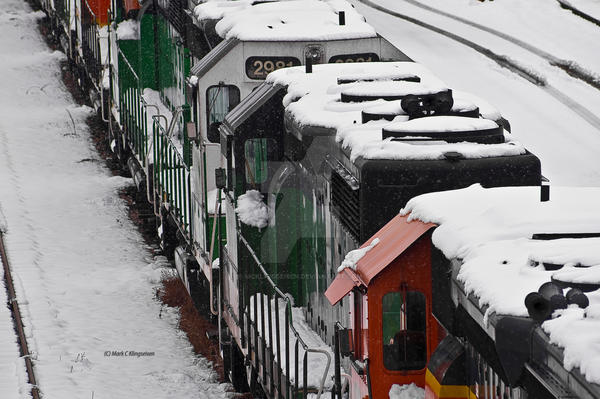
point(17, 320)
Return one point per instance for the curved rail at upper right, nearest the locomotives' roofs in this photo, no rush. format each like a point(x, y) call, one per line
point(504, 61)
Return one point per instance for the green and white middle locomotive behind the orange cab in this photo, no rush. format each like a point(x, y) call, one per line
point(329, 154)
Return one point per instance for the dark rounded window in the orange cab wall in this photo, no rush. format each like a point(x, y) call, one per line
point(404, 330)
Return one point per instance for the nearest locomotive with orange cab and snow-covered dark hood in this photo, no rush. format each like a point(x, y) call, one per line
point(445, 265)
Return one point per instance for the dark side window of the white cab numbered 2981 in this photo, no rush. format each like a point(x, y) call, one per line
point(220, 100)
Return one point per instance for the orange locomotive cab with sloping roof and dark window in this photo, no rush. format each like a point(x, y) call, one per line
point(392, 329)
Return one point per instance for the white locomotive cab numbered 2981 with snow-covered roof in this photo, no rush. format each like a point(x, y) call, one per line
point(239, 63)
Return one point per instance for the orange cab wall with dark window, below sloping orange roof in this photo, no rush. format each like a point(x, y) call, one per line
point(401, 326)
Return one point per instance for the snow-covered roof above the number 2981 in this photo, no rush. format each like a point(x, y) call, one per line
point(292, 20)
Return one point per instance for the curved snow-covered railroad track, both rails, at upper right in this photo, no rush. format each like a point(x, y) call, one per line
point(512, 65)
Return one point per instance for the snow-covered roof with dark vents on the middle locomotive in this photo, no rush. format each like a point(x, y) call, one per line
point(316, 99)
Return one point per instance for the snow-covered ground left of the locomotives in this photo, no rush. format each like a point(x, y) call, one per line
point(84, 277)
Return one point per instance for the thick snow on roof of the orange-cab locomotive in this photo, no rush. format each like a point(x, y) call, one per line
point(491, 232)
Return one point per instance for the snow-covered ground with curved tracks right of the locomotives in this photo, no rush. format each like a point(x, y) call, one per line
point(566, 143)
